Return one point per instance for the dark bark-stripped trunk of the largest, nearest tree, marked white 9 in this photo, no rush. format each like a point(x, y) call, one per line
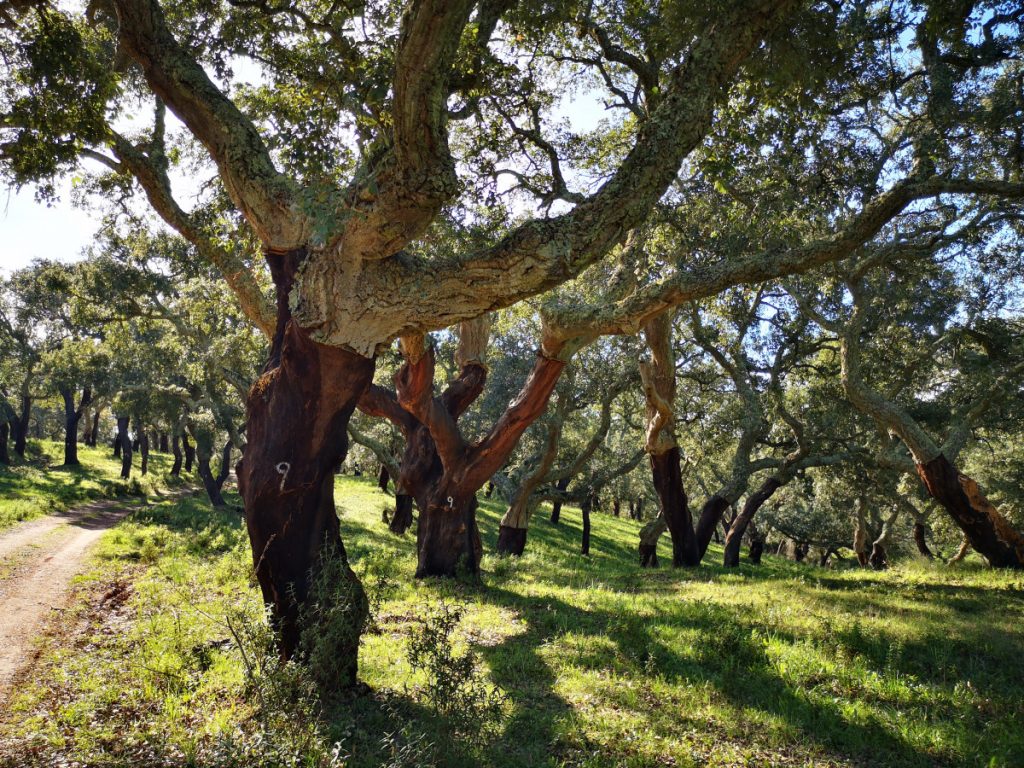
point(297, 416)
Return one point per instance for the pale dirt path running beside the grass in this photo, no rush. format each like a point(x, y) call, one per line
point(38, 561)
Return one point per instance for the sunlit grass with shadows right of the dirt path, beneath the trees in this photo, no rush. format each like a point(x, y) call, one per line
point(603, 664)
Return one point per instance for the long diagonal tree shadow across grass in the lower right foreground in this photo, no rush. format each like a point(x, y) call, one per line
point(732, 661)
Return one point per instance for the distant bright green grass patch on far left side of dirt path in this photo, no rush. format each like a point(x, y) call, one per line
point(40, 487)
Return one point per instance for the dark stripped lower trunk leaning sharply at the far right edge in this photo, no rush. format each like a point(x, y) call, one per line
point(988, 531)
